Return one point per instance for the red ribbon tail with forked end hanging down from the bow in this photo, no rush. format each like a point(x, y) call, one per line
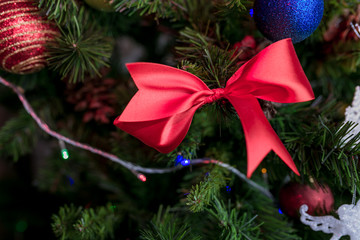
point(260, 136)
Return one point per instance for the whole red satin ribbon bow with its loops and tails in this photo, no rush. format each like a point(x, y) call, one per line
point(161, 111)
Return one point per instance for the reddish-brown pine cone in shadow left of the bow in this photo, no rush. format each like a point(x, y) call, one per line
point(94, 98)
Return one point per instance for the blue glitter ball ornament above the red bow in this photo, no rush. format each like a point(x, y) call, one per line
point(295, 19)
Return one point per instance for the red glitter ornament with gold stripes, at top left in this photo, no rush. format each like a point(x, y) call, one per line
point(24, 33)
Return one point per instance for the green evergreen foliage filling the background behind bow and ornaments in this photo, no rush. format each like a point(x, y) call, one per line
point(200, 35)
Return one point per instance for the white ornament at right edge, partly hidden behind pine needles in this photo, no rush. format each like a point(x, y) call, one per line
point(352, 114)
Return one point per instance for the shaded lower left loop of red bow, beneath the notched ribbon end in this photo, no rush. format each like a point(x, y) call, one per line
point(162, 134)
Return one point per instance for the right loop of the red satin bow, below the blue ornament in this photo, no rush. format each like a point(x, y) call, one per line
point(275, 74)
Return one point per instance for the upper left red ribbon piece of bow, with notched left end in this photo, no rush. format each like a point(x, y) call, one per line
point(163, 92)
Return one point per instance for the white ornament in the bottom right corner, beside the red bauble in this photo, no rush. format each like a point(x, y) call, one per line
point(349, 223)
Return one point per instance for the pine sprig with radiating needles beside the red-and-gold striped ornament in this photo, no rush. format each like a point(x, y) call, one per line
point(79, 51)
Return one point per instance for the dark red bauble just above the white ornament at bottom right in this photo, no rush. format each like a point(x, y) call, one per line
point(319, 199)
